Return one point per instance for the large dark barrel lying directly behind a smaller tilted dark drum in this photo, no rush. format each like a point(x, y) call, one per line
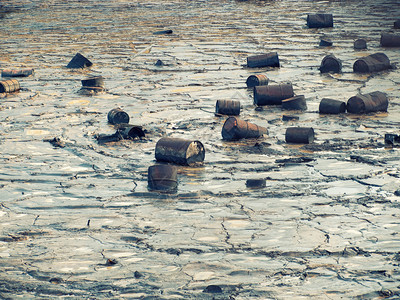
point(272, 94)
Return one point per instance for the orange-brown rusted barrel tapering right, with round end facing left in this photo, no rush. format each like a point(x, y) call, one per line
point(236, 129)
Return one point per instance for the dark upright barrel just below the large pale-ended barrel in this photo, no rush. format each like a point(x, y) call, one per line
point(162, 178)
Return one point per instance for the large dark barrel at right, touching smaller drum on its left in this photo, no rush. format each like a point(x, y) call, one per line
point(371, 102)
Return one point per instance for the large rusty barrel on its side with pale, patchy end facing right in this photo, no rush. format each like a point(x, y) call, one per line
point(180, 151)
